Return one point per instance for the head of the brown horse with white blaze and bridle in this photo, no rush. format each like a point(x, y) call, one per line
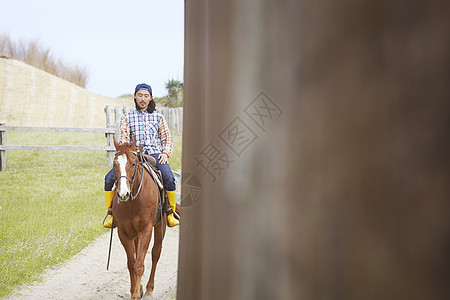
point(125, 168)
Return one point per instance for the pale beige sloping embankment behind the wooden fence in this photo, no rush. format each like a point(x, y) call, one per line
point(31, 97)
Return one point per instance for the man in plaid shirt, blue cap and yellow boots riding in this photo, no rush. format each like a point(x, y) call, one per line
point(151, 132)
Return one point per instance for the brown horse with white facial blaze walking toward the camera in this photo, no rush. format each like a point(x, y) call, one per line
point(135, 207)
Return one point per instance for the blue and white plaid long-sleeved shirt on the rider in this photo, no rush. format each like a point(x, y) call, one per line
point(151, 131)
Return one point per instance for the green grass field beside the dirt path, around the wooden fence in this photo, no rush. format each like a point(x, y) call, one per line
point(51, 203)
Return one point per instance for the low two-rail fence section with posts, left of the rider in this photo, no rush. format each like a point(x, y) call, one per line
point(109, 147)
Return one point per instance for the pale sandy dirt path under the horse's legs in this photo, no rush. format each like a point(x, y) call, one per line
point(85, 275)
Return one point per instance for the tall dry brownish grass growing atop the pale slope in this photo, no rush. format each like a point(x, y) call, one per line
point(34, 54)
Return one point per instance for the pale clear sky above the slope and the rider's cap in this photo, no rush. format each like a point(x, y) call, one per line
point(121, 43)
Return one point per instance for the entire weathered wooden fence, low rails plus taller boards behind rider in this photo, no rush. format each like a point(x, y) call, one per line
point(113, 114)
